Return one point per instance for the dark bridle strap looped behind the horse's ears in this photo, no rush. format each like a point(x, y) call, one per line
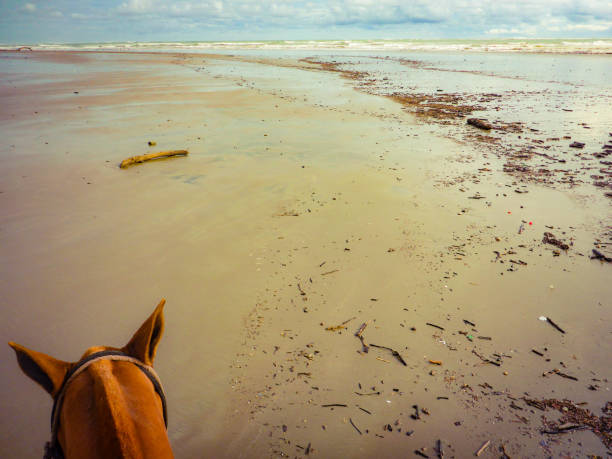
point(53, 449)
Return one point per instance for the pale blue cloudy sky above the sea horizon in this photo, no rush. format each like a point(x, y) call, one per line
point(87, 21)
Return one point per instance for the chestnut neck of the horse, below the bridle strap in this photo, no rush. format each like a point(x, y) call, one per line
point(112, 410)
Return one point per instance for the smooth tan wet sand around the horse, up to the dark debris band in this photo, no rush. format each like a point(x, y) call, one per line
point(302, 204)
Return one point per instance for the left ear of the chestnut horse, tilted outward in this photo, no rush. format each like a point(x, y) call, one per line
point(42, 368)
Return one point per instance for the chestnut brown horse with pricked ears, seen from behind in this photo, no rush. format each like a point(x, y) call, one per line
point(108, 404)
